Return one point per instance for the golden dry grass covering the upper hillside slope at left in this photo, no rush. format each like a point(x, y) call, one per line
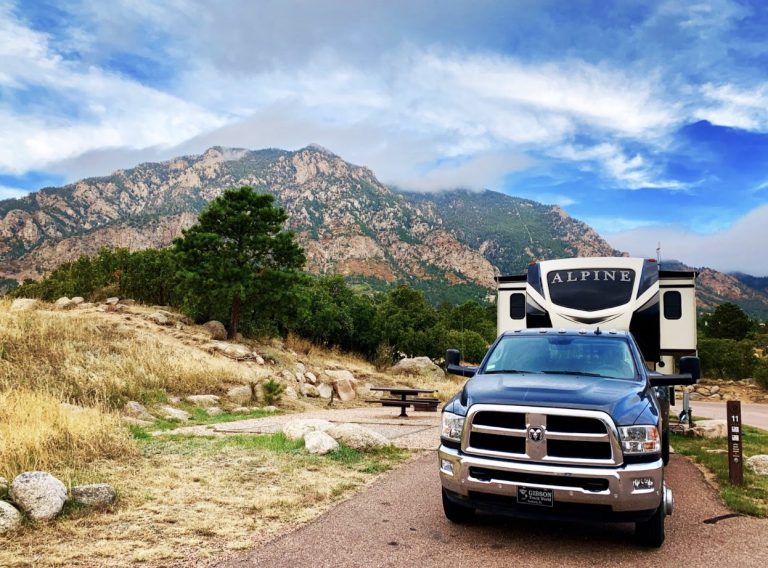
point(92, 359)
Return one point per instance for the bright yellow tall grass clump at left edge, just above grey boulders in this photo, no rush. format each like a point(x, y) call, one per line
point(37, 432)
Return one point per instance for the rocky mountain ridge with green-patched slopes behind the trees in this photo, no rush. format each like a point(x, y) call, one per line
point(449, 244)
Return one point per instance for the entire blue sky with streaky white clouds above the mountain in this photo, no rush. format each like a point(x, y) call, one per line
point(648, 120)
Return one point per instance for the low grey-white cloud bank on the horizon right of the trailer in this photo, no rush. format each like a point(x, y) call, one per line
point(741, 247)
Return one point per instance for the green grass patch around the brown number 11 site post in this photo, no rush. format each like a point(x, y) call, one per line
point(752, 497)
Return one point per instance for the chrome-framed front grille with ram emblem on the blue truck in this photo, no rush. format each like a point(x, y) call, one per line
point(551, 435)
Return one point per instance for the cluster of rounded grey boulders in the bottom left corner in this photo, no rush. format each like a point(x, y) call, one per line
point(41, 497)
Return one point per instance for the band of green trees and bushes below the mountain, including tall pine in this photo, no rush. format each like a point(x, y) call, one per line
point(239, 265)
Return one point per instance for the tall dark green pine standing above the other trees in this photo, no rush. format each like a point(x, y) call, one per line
point(237, 244)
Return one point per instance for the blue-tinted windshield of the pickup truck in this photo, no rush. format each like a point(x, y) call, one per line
point(588, 355)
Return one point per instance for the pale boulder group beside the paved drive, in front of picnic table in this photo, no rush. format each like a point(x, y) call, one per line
point(322, 436)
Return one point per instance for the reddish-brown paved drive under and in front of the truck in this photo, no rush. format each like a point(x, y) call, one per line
point(398, 521)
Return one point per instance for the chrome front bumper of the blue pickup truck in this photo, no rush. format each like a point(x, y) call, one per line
point(608, 492)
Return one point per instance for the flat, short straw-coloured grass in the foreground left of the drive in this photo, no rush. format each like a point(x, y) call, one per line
point(191, 499)
